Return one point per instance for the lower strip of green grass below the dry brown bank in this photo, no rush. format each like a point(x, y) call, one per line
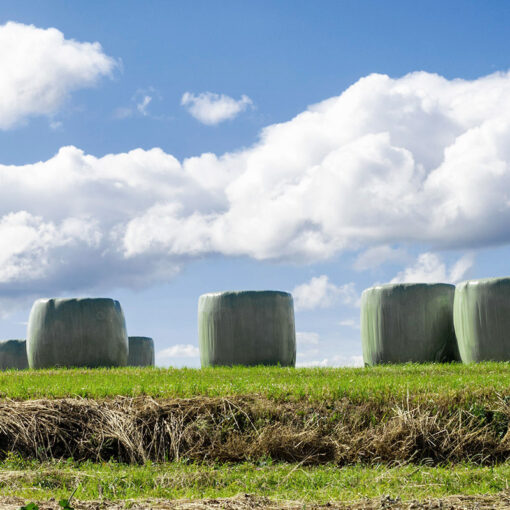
point(320, 484)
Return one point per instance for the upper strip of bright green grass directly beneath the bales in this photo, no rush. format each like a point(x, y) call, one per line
point(380, 384)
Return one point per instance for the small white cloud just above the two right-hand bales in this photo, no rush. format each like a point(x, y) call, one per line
point(429, 268)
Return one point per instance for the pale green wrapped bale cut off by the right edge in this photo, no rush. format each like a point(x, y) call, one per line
point(482, 319)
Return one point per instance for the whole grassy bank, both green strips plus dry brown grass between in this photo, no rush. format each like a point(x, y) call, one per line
point(406, 416)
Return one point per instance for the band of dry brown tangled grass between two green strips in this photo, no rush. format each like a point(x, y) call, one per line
point(136, 430)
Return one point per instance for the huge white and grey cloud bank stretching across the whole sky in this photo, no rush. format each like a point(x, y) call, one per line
point(389, 161)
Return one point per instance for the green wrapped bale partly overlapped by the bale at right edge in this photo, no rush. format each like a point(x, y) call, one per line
point(409, 322)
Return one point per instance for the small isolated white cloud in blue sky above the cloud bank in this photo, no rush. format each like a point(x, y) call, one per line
point(211, 109)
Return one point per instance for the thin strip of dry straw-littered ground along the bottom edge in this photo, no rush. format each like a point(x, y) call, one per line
point(248, 502)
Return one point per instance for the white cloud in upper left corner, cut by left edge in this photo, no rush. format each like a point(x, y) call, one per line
point(40, 68)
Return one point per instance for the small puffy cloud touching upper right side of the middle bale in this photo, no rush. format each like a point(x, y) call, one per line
point(319, 292)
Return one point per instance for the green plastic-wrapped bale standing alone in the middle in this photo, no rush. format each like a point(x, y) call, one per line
point(247, 328)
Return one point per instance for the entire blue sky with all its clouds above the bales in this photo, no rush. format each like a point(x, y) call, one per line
point(155, 151)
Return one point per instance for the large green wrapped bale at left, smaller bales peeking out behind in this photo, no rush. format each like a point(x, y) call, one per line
point(88, 332)
